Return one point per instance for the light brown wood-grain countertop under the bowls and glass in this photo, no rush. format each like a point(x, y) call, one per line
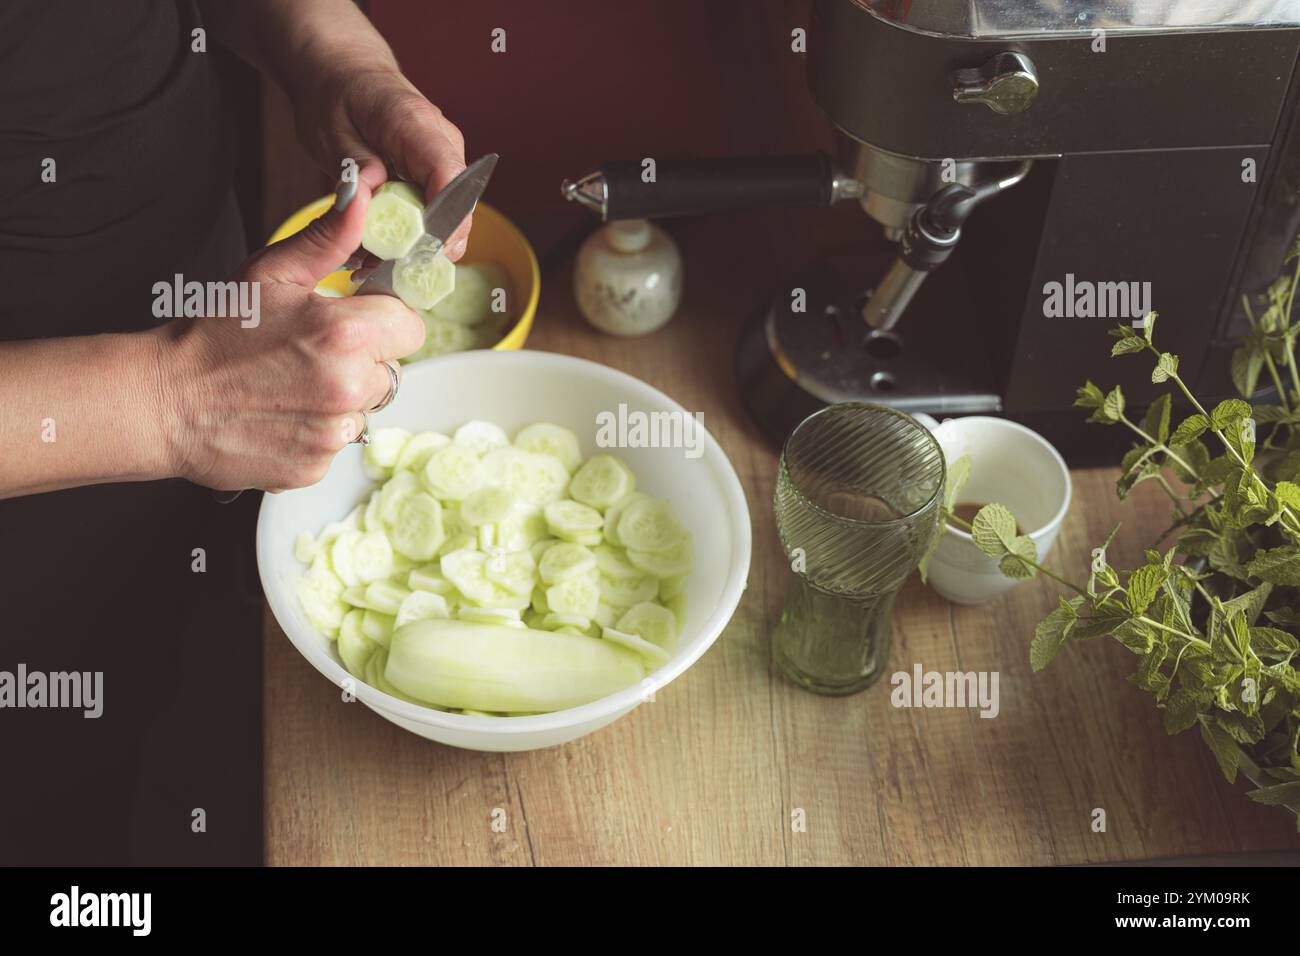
point(714, 771)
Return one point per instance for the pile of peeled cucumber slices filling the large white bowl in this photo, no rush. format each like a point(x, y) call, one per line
point(499, 577)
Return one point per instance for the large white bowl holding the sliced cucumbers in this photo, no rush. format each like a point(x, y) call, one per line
point(514, 390)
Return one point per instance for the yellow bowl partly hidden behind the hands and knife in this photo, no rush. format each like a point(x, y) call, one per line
point(493, 240)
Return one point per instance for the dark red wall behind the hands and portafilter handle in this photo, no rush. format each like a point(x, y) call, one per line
point(587, 81)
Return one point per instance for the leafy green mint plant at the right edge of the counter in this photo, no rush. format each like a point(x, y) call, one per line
point(1215, 617)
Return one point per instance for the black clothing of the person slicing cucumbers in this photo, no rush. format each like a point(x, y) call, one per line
point(102, 579)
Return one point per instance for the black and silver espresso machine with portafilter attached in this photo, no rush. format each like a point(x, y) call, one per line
point(1047, 170)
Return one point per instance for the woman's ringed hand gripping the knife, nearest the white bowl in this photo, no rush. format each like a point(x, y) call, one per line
point(271, 405)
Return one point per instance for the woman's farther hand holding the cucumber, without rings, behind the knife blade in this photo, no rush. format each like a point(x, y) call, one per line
point(375, 116)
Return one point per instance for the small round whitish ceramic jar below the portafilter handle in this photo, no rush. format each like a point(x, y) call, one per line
point(629, 278)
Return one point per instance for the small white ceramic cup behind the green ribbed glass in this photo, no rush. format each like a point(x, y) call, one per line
point(1013, 466)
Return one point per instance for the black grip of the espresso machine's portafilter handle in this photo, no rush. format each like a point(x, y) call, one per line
point(695, 187)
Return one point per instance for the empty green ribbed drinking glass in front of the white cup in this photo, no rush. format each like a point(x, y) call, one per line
point(859, 495)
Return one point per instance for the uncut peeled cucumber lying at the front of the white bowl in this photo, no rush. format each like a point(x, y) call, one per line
point(458, 664)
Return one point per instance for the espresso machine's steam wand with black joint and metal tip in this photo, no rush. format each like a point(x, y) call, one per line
point(930, 239)
